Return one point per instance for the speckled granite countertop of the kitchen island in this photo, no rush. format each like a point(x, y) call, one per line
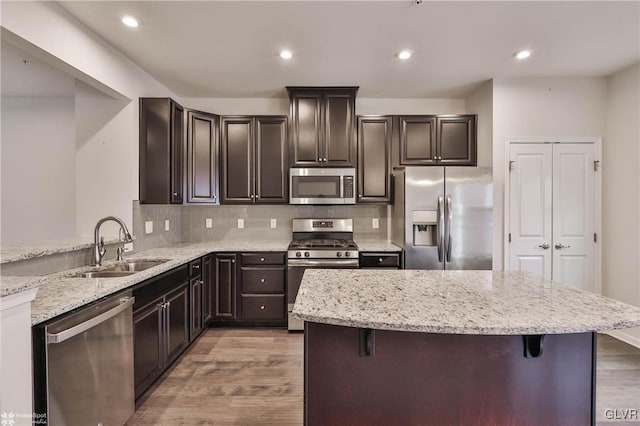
point(456, 302)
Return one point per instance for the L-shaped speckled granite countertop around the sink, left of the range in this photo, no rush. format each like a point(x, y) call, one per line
point(60, 292)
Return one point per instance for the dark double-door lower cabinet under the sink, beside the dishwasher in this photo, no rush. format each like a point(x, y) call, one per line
point(161, 325)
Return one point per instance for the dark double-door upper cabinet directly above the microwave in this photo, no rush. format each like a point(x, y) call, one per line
point(322, 126)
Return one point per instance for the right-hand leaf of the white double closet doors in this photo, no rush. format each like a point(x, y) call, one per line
point(573, 214)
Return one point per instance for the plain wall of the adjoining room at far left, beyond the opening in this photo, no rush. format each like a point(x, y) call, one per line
point(38, 169)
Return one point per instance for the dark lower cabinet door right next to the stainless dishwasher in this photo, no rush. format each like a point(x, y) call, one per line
point(148, 342)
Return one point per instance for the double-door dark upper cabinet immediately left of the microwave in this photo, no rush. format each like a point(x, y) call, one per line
point(254, 159)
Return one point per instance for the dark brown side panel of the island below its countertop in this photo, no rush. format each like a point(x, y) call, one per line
point(437, 379)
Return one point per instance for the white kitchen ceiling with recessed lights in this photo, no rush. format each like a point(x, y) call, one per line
point(229, 49)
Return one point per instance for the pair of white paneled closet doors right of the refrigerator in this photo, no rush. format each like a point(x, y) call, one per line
point(552, 206)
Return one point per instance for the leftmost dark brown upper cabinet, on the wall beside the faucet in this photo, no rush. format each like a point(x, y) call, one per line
point(161, 144)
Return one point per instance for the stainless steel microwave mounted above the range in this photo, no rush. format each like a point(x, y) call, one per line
point(322, 186)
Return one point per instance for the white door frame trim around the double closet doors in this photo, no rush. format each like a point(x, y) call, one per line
point(597, 195)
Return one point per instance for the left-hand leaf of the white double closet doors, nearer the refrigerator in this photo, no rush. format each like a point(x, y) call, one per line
point(530, 196)
